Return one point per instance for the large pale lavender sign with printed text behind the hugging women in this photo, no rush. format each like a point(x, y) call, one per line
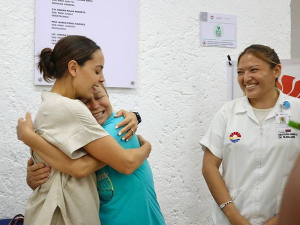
point(113, 25)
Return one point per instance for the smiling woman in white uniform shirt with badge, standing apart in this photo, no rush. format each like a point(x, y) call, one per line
point(251, 138)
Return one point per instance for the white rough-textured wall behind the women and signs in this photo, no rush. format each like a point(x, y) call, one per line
point(181, 86)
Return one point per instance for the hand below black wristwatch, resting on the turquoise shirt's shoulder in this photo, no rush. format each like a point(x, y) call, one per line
point(130, 124)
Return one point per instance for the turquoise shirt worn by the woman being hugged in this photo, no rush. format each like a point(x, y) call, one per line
point(127, 199)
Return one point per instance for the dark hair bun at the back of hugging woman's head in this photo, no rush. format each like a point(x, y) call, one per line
point(46, 65)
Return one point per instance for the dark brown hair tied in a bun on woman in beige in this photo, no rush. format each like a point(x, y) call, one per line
point(53, 64)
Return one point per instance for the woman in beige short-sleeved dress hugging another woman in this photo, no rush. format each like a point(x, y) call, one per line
point(76, 63)
